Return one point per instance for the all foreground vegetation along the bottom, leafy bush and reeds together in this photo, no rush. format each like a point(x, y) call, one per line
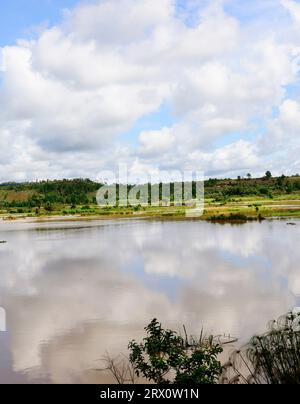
point(164, 357)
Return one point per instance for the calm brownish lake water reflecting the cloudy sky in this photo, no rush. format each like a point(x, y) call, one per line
point(72, 292)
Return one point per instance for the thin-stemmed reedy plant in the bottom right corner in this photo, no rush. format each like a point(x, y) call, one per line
point(273, 358)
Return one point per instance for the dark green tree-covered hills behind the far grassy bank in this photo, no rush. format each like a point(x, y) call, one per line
point(83, 191)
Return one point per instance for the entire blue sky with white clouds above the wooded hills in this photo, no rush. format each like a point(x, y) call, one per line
point(167, 85)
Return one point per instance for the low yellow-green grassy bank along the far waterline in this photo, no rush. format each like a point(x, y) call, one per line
point(242, 209)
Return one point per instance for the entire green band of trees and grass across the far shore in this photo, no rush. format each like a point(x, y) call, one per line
point(225, 199)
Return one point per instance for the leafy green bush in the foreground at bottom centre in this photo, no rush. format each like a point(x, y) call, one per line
point(163, 353)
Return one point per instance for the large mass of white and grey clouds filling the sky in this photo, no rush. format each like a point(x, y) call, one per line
point(82, 84)
